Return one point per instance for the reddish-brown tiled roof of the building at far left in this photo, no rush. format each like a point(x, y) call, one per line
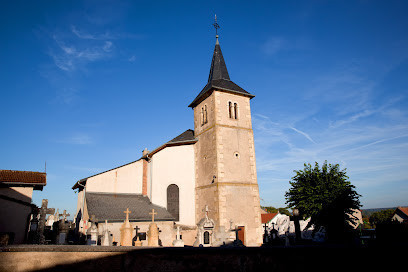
point(22, 177)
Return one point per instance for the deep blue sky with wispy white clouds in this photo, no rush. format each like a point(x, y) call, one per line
point(87, 85)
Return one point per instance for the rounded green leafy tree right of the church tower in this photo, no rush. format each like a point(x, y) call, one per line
point(326, 196)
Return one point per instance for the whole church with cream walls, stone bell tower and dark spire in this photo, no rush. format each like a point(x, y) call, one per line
point(202, 182)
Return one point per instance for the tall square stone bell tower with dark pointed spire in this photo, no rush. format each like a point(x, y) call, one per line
point(225, 165)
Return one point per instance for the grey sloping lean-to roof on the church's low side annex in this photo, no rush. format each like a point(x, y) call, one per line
point(111, 207)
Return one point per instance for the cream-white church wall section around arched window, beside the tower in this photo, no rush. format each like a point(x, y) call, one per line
point(174, 165)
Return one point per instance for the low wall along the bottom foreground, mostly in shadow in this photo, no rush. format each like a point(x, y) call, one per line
point(88, 258)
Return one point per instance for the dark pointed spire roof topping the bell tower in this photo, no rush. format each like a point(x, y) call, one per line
point(218, 79)
